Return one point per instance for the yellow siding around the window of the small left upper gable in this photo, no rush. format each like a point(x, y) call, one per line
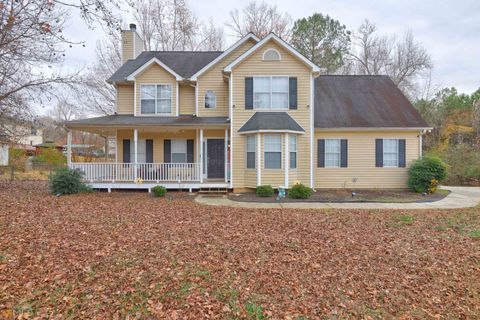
point(156, 75)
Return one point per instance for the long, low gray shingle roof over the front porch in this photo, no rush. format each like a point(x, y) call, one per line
point(131, 120)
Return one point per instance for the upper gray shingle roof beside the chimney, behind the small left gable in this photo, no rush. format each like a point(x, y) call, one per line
point(185, 63)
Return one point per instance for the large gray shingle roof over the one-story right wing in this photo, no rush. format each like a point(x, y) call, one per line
point(362, 102)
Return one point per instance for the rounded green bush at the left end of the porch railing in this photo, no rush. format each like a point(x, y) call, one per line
point(67, 181)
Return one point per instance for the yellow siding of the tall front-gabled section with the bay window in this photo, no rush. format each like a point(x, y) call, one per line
point(287, 66)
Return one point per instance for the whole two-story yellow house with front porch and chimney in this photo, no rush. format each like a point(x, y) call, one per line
point(258, 113)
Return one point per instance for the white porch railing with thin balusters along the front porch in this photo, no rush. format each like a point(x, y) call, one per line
point(157, 172)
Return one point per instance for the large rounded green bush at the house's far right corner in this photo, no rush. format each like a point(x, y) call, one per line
point(426, 173)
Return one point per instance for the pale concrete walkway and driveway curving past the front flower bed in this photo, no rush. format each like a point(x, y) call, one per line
point(460, 197)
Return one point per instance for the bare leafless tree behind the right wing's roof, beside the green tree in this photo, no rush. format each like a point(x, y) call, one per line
point(404, 60)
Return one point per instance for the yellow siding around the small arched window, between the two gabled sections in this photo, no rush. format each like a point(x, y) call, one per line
point(213, 80)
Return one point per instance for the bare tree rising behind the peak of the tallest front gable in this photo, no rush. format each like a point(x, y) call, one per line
point(261, 19)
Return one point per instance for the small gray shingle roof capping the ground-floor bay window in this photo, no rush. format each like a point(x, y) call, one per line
point(271, 121)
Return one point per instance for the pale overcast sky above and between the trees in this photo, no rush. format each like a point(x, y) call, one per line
point(449, 30)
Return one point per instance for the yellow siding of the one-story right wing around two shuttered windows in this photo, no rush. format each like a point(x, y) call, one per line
point(361, 161)
